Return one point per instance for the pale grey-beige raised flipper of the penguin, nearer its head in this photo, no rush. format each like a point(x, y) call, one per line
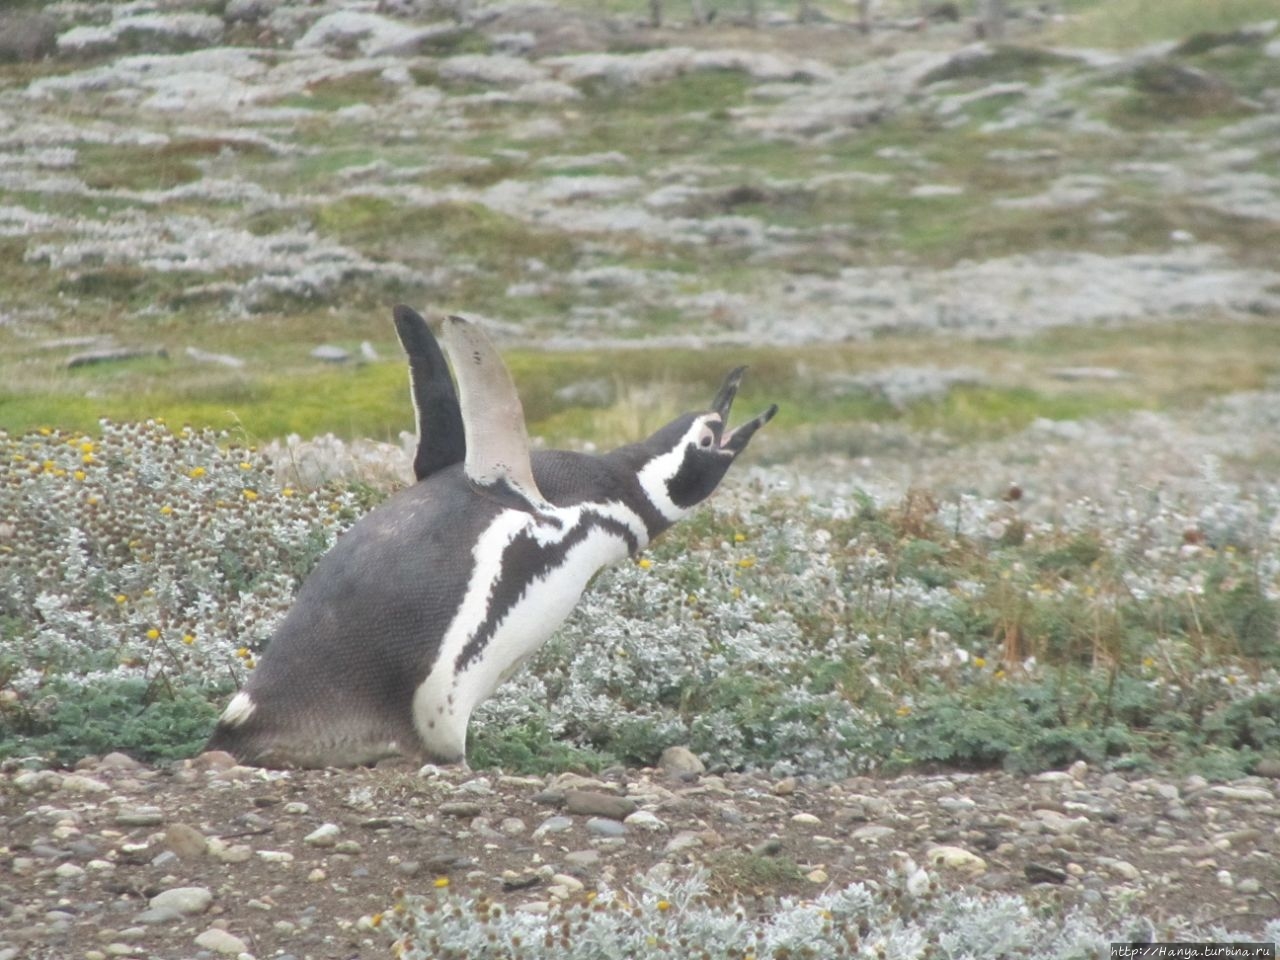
point(497, 444)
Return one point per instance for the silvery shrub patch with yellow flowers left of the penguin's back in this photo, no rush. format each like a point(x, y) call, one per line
point(144, 556)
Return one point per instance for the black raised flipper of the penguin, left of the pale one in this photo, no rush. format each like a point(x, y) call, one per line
point(441, 437)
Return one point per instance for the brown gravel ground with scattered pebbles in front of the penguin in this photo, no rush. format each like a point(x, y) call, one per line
point(124, 861)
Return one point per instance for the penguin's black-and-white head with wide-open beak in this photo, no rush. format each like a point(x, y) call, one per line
point(688, 458)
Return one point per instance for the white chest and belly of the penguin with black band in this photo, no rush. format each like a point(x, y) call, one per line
point(528, 575)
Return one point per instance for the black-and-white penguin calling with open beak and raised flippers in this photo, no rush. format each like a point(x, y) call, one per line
point(436, 597)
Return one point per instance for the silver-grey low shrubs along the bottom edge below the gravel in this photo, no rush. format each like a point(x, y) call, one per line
point(897, 918)
